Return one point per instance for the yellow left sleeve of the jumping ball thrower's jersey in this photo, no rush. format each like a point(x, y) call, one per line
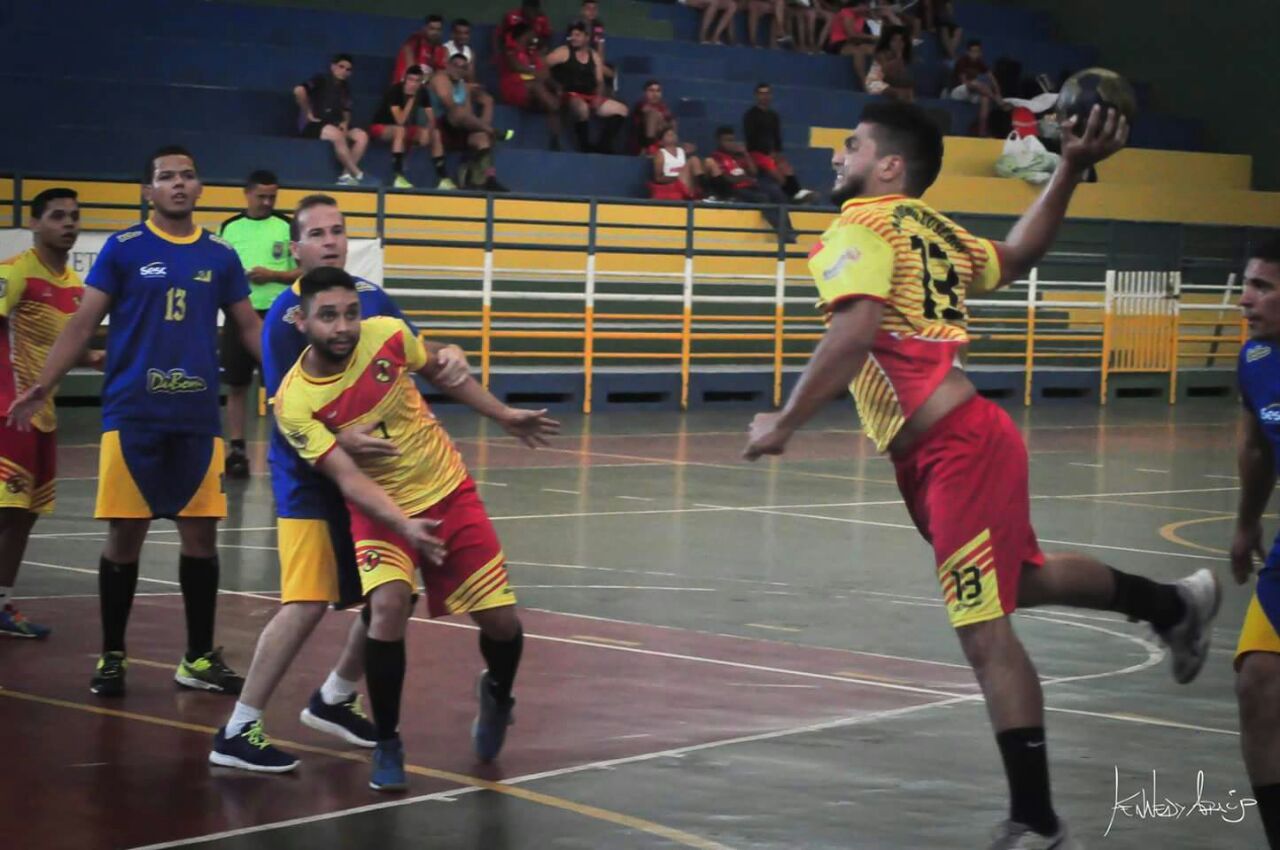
point(853, 262)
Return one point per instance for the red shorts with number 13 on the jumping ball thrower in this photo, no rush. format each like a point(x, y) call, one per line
point(966, 487)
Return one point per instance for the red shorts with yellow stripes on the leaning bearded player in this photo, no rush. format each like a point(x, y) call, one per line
point(474, 574)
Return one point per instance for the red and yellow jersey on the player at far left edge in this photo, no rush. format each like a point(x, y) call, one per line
point(35, 304)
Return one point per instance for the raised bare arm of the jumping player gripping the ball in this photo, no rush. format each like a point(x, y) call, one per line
point(1035, 232)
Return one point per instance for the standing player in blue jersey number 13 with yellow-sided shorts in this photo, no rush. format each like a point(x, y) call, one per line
point(163, 282)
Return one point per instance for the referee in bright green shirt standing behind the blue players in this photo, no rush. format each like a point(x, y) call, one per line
point(262, 239)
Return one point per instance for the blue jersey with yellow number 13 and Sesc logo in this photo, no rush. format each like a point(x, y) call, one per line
point(162, 344)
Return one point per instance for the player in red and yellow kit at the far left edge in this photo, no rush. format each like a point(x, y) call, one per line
point(38, 295)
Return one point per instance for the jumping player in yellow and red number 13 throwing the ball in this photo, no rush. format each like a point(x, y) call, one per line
point(894, 275)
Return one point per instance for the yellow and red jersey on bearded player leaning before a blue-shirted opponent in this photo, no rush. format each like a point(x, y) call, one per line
point(376, 387)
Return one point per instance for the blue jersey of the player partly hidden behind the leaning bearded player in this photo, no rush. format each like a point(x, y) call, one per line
point(301, 492)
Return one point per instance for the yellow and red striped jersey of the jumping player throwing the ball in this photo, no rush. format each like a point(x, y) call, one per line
point(920, 264)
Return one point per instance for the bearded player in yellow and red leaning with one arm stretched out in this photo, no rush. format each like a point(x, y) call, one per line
point(418, 504)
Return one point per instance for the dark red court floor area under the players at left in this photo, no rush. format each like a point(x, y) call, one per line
point(121, 774)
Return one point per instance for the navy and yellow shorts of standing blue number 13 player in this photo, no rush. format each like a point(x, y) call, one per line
point(143, 476)
